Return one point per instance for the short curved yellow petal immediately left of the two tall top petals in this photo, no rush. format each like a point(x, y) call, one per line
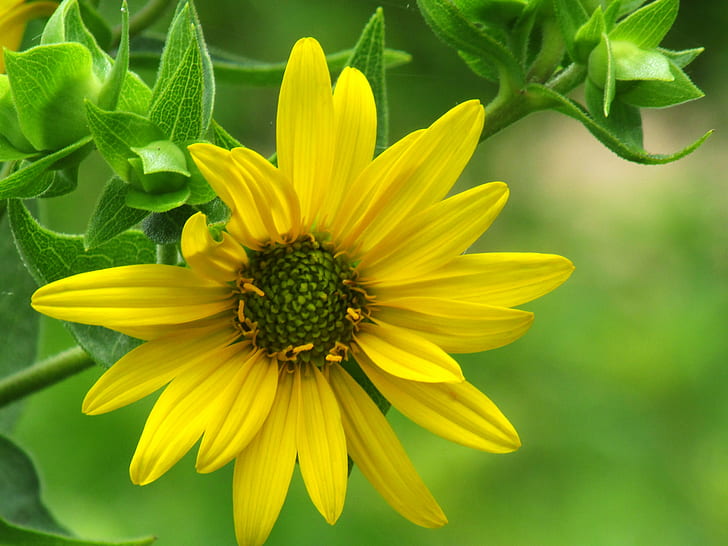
point(278, 202)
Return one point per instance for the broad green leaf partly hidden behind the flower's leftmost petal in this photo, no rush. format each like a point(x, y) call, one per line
point(50, 256)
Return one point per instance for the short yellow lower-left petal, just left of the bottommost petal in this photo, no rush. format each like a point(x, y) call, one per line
point(243, 407)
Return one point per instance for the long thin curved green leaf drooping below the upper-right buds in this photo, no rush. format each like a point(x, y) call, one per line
point(611, 141)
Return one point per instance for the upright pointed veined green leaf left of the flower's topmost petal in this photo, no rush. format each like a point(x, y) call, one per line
point(183, 95)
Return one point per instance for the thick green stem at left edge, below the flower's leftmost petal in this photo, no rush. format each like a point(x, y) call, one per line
point(43, 374)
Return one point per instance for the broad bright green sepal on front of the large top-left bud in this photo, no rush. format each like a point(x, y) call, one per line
point(49, 84)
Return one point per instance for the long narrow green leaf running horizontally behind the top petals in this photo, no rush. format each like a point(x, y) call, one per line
point(252, 72)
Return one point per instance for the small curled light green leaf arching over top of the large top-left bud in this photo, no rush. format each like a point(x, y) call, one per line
point(67, 25)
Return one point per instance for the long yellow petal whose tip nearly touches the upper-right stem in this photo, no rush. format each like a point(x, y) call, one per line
point(424, 173)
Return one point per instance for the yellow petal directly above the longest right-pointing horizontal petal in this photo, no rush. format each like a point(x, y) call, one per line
point(435, 236)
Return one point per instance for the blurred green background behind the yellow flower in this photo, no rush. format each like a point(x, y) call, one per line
point(619, 391)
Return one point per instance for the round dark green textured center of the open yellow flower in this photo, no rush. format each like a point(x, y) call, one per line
point(299, 300)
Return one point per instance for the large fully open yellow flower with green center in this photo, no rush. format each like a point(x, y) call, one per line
point(332, 264)
